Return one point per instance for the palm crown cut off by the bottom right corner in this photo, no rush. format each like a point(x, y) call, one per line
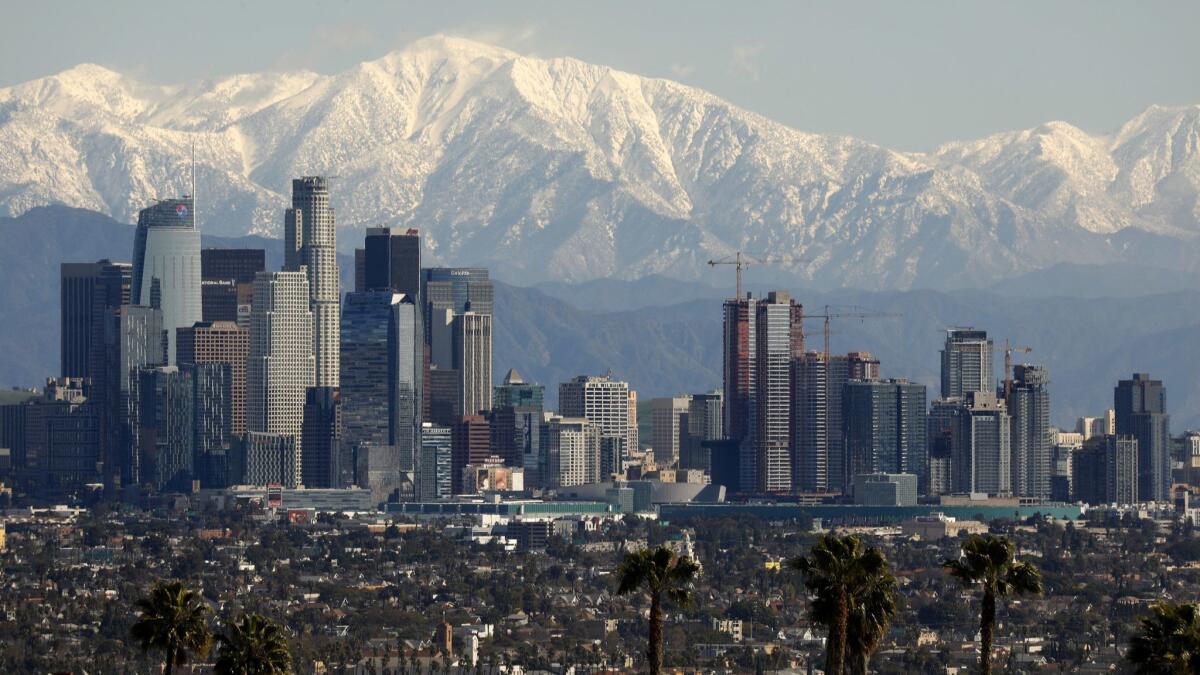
point(1168, 641)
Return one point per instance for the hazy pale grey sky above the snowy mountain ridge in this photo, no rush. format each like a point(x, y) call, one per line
point(908, 75)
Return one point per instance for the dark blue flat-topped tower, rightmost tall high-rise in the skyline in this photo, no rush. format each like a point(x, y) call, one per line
point(1141, 405)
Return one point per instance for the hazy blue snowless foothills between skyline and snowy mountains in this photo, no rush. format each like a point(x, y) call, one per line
point(664, 336)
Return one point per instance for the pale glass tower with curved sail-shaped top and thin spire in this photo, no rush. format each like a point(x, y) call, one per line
point(167, 266)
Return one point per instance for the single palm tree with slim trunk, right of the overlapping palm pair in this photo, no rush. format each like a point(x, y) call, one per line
point(989, 560)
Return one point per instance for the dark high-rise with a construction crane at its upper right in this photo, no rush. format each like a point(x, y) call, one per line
point(1029, 404)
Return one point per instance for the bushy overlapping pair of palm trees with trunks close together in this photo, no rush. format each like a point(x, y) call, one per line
point(855, 598)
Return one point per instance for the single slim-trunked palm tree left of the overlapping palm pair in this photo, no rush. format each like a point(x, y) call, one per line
point(657, 572)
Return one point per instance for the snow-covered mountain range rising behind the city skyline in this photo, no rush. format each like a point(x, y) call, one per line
point(560, 170)
